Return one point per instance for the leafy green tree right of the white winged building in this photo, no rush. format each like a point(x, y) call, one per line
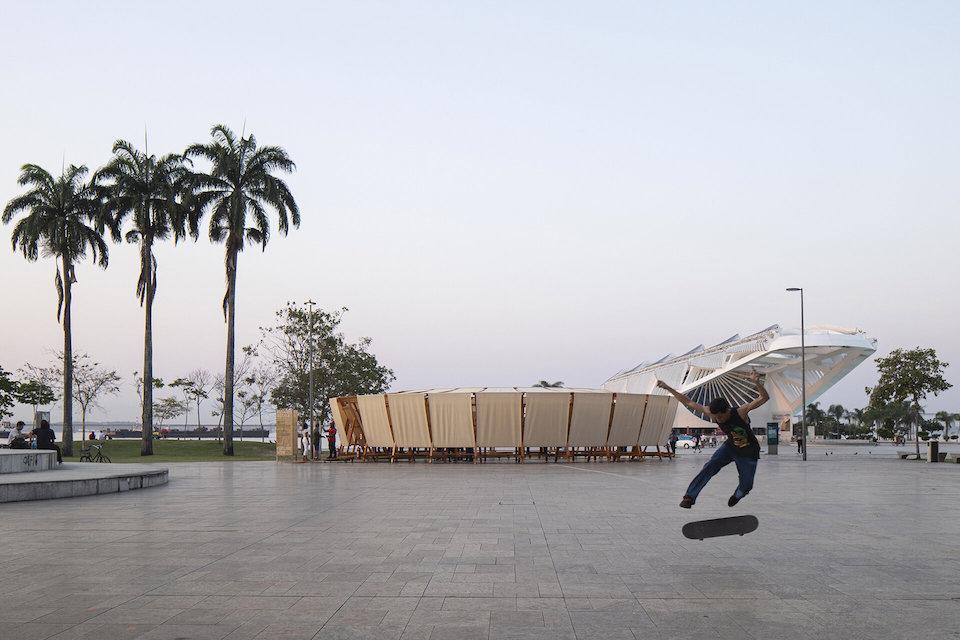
point(909, 376)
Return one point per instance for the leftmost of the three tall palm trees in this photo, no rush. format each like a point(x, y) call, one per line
point(63, 219)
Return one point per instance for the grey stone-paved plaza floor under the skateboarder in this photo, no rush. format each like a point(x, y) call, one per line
point(850, 547)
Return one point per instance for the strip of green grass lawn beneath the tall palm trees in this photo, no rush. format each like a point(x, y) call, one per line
point(181, 451)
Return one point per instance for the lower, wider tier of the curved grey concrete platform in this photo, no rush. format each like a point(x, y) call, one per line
point(50, 488)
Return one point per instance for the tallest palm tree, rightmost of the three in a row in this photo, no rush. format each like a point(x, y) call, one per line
point(238, 189)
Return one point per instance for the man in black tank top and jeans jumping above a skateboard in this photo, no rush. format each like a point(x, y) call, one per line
point(742, 447)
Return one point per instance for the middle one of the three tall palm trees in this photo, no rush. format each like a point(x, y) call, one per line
point(150, 191)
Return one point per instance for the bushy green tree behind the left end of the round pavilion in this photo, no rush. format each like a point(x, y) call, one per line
point(340, 367)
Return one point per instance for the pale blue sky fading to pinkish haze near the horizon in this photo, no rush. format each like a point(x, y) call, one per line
point(502, 192)
